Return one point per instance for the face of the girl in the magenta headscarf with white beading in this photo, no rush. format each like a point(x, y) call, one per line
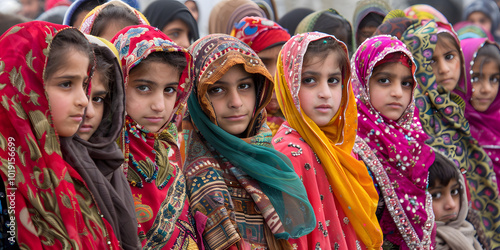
point(391, 86)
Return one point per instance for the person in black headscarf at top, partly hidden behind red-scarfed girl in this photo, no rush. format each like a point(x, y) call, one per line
point(174, 19)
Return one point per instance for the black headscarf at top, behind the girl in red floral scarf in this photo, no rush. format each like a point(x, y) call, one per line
point(161, 12)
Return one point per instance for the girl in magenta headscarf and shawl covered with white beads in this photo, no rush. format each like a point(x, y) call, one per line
point(391, 141)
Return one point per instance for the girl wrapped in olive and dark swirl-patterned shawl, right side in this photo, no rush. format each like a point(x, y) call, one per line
point(436, 51)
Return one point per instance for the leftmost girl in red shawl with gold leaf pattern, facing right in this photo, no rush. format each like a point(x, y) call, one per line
point(44, 98)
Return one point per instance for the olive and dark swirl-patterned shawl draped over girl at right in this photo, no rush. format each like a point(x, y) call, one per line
point(442, 118)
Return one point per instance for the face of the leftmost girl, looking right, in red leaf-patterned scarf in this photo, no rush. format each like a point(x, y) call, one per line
point(66, 91)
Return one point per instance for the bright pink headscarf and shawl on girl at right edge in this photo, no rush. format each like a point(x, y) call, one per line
point(482, 124)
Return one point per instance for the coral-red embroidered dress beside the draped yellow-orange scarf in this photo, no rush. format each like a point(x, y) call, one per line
point(333, 230)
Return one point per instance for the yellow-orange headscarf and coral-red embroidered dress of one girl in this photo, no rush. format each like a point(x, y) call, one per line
point(338, 186)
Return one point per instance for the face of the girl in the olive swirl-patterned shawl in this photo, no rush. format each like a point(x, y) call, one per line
point(446, 64)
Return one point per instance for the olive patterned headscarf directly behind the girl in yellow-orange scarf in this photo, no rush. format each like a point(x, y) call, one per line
point(337, 26)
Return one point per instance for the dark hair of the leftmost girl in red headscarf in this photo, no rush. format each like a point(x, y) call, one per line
point(64, 41)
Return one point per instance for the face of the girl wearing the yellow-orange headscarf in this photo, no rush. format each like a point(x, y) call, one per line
point(320, 91)
